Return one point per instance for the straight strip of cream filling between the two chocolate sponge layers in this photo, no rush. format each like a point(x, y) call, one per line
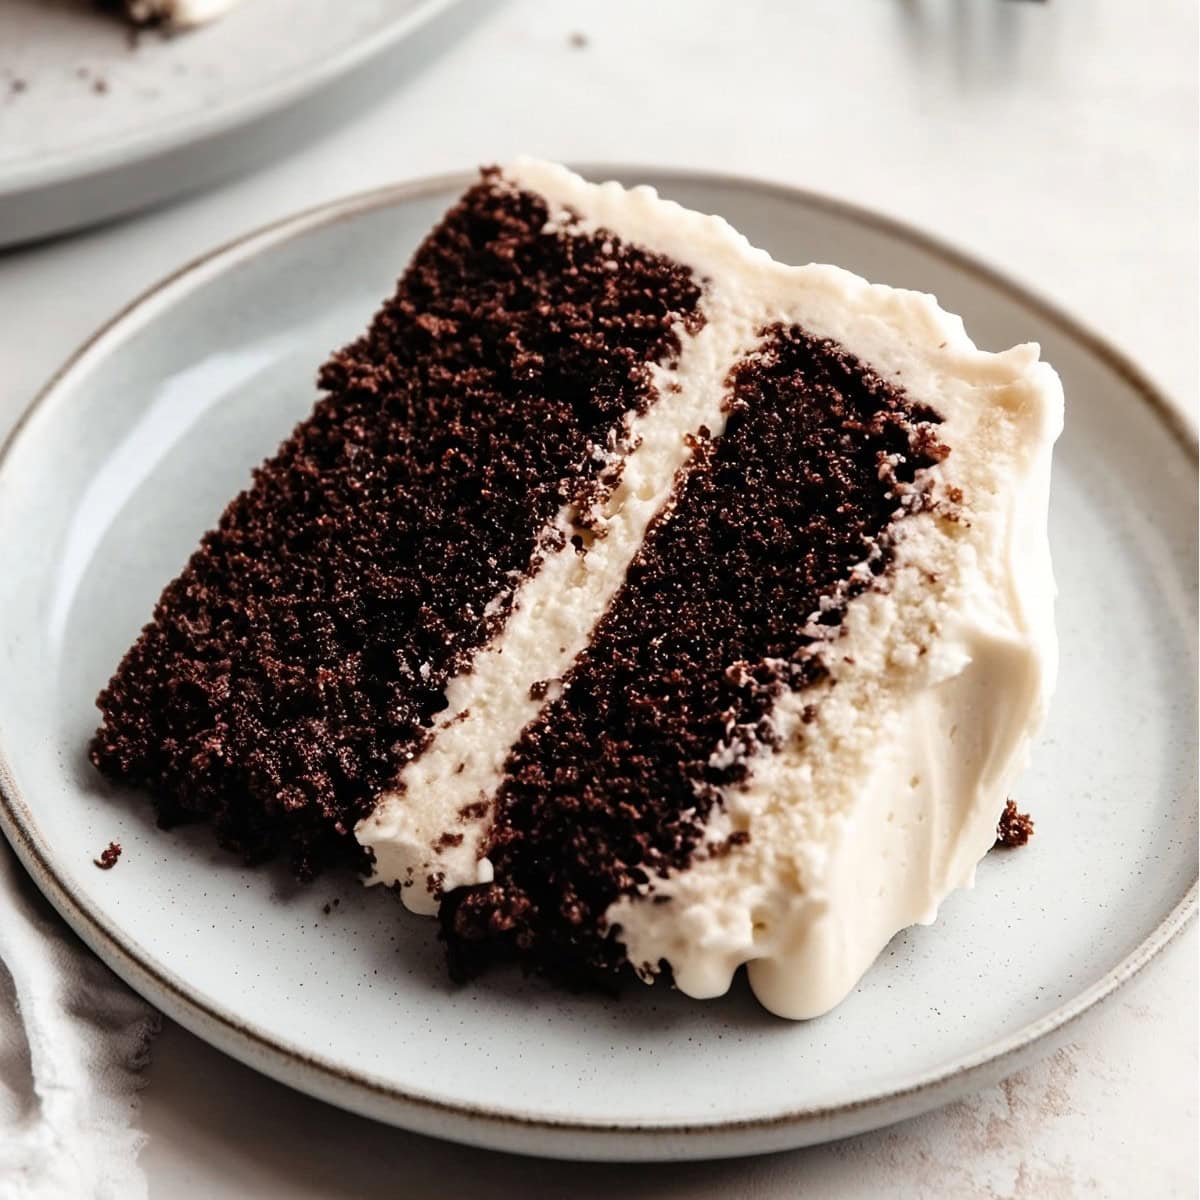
point(428, 833)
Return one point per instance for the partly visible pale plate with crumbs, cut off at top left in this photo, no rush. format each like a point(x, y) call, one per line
point(95, 123)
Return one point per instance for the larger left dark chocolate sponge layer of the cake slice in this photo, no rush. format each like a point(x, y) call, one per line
point(305, 650)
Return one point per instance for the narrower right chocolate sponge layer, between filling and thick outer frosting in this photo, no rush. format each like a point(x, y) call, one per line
point(613, 783)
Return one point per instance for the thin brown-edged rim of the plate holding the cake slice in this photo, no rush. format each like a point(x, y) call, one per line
point(483, 1124)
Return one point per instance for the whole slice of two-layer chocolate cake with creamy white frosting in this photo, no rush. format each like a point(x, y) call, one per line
point(631, 601)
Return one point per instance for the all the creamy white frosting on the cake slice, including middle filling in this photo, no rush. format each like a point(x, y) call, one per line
point(869, 815)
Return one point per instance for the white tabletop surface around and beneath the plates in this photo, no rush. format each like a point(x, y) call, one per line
point(1058, 141)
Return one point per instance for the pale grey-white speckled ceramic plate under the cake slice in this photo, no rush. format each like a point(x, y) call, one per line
point(135, 449)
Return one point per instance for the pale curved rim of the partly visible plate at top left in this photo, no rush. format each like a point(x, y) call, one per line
point(163, 137)
